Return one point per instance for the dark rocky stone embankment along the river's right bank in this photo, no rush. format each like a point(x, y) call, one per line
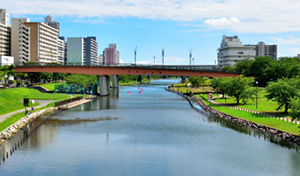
point(275, 133)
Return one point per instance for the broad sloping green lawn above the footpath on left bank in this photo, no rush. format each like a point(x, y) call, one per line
point(12, 99)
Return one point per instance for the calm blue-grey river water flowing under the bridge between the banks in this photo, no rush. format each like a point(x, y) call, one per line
point(152, 133)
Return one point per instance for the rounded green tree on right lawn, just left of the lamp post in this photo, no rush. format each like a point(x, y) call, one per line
point(241, 88)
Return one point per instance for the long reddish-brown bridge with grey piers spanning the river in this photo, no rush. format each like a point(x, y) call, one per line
point(125, 69)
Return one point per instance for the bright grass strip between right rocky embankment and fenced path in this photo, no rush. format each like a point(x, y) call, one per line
point(267, 121)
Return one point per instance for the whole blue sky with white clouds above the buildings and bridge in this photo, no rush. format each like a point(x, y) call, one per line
point(180, 26)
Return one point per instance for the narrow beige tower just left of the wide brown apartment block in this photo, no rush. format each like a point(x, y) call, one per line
point(20, 40)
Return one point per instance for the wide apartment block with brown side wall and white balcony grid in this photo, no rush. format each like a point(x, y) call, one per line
point(43, 42)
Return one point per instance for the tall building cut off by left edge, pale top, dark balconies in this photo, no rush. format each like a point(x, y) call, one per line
point(5, 33)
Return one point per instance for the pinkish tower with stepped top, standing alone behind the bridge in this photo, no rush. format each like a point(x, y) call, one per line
point(111, 55)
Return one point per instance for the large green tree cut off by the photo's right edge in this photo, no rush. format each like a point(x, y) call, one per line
point(282, 91)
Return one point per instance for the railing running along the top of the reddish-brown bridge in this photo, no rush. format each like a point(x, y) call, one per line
point(212, 68)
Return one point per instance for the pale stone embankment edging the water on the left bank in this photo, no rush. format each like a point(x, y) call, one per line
point(14, 128)
